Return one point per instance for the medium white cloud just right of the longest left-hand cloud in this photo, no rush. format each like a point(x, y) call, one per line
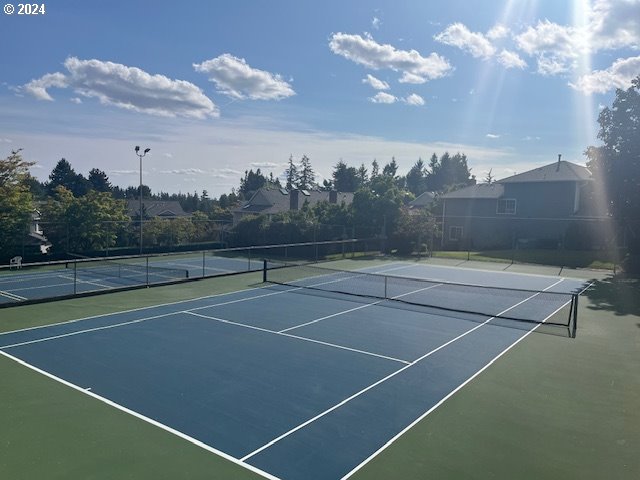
point(235, 78)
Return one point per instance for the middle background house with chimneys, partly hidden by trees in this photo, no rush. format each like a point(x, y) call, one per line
point(267, 201)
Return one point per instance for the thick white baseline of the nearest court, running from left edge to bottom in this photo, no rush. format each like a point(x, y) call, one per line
point(140, 416)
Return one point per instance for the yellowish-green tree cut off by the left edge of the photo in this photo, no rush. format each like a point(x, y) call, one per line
point(16, 202)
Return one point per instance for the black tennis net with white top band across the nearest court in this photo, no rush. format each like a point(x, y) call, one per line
point(533, 306)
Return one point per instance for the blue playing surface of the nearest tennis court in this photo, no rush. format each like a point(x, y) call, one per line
point(292, 383)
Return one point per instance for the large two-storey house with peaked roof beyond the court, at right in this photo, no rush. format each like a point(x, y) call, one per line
point(545, 207)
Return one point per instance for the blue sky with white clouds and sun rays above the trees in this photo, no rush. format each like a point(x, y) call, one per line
point(215, 88)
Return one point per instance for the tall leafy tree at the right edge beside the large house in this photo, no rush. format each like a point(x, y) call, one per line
point(616, 163)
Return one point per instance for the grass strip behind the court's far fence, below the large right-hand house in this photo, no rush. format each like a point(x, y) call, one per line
point(560, 258)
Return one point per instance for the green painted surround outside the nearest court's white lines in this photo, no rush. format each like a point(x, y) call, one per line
point(551, 407)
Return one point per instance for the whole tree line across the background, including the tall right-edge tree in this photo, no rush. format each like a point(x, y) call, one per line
point(88, 213)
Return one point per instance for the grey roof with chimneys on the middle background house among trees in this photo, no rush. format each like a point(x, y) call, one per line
point(270, 201)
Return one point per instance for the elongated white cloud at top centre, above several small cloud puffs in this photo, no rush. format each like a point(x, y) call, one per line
point(367, 52)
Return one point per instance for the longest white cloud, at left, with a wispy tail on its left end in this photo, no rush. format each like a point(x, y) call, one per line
point(126, 87)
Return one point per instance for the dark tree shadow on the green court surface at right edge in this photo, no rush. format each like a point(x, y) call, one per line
point(618, 295)
